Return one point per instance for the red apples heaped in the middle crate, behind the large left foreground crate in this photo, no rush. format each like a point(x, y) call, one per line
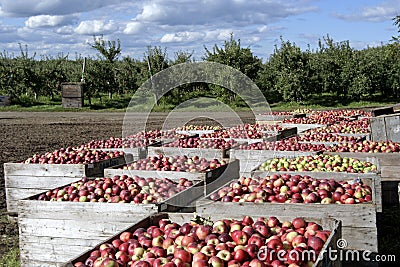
point(175, 163)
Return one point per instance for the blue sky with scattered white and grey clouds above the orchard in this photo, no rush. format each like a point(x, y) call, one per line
point(55, 27)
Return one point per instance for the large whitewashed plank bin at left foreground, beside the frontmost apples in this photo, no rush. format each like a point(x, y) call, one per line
point(54, 232)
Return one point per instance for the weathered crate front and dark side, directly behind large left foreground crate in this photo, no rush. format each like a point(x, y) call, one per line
point(213, 179)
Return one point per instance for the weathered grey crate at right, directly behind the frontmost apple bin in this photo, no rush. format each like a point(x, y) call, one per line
point(358, 221)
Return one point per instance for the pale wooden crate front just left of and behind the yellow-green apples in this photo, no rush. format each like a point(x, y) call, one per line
point(250, 159)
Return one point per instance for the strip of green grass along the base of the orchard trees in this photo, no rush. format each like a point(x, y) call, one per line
point(120, 103)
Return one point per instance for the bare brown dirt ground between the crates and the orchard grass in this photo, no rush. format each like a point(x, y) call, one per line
point(24, 133)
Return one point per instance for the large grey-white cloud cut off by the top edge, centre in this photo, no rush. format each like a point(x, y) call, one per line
point(172, 12)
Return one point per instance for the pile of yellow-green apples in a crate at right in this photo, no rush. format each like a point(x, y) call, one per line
point(322, 163)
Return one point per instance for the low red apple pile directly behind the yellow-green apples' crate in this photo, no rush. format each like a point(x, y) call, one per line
point(290, 144)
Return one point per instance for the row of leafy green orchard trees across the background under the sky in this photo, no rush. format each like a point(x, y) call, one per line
point(289, 74)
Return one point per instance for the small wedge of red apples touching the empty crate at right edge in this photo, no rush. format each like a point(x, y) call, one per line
point(348, 127)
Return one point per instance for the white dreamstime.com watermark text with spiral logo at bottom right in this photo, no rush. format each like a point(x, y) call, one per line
point(339, 253)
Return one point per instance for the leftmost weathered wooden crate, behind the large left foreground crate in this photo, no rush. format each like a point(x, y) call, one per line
point(24, 180)
